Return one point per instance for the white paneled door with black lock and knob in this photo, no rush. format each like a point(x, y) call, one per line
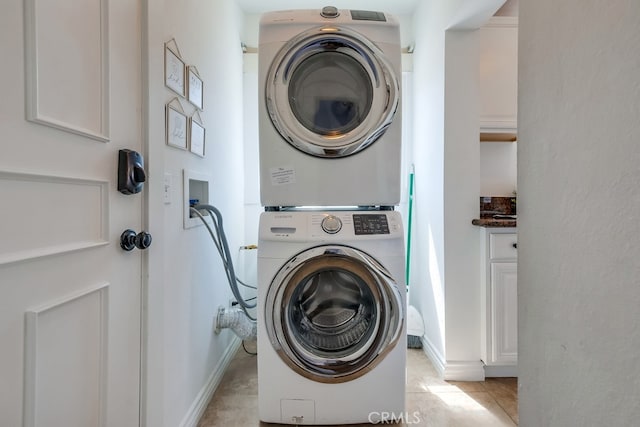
point(70, 297)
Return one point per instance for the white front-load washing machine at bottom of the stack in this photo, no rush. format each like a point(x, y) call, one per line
point(331, 317)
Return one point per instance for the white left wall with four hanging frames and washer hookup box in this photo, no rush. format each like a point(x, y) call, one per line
point(186, 280)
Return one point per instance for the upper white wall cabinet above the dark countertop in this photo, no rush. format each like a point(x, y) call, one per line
point(498, 75)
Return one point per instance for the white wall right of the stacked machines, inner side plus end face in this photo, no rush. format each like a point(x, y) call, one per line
point(445, 264)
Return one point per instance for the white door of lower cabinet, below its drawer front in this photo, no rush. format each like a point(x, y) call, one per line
point(504, 313)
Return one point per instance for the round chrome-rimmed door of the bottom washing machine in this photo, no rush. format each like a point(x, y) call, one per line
point(332, 313)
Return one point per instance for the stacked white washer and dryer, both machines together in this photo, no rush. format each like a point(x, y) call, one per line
point(331, 291)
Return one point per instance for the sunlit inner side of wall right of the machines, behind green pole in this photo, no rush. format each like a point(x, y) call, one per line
point(427, 265)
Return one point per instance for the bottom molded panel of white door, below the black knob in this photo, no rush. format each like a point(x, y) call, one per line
point(44, 326)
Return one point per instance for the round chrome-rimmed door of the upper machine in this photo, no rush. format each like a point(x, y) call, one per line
point(331, 93)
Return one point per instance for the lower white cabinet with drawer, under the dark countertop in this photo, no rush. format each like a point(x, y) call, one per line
point(499, 336)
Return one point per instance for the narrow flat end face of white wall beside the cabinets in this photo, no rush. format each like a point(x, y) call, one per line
point(461, 191)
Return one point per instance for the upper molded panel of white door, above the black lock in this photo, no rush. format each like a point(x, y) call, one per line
point(47, 46)
